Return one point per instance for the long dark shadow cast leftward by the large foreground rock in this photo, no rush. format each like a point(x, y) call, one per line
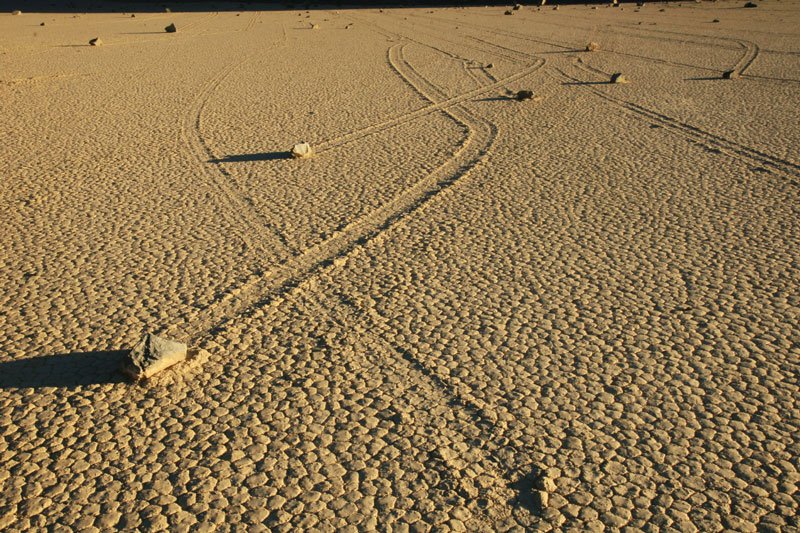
point(66, 370)
